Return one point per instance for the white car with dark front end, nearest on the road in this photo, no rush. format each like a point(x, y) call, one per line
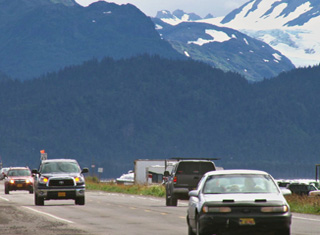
point(243, 201)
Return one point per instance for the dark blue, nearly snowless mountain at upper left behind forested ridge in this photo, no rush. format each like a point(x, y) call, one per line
point(40, 36)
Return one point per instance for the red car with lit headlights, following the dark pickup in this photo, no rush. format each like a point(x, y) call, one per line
point(18, 178)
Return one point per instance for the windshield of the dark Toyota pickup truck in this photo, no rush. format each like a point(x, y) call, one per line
point(60, 167)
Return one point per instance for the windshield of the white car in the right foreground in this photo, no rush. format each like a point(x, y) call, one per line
point(239, 183)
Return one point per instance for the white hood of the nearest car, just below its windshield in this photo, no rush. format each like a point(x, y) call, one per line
point(244, 198)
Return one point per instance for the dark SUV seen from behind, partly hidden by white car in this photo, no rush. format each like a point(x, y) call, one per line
point(185, 177)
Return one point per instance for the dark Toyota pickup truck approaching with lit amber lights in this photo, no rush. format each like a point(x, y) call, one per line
point(59, 179)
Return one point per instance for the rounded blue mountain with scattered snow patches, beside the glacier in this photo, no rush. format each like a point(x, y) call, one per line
point(221, 47)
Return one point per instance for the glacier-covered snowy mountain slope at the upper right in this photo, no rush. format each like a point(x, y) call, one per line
point(290, 26)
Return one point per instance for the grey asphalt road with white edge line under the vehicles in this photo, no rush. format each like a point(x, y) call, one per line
point(106, 213)
